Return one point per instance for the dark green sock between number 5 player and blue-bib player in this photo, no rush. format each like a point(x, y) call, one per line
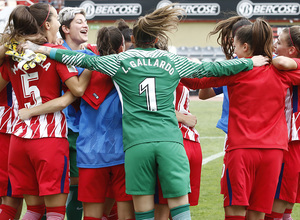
point(74, 207)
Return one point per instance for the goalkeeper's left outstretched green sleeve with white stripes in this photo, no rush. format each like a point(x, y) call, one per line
point(108, 65)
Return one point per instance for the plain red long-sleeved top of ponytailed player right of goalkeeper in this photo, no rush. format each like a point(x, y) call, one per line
point(257, 106)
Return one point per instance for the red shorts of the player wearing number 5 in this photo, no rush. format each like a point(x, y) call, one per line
point(39, 166)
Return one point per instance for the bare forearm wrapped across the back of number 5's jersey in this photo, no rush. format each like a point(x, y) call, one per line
point(51, 106)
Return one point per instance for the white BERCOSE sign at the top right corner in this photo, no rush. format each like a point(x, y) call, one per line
point(248, 9)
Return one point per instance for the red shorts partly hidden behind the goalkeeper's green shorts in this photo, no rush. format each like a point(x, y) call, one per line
point(194, 154)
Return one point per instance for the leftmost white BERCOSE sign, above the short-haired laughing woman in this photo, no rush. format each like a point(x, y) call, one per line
point(125, 9)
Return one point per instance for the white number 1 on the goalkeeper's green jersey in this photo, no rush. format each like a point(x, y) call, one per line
point(148, 86)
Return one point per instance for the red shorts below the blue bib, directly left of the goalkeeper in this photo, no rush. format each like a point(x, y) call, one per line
point(95, 182)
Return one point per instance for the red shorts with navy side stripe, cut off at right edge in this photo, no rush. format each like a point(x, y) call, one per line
point(288, 183)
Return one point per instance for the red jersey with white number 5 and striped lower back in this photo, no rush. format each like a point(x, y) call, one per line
point(34, 87)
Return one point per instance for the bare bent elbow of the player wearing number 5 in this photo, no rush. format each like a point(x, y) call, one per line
point(78, 85)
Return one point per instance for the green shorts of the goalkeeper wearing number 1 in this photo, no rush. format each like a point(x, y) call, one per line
point(167, 160)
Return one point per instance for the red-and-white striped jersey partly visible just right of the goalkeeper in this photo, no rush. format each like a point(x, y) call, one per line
point(182, 106)
